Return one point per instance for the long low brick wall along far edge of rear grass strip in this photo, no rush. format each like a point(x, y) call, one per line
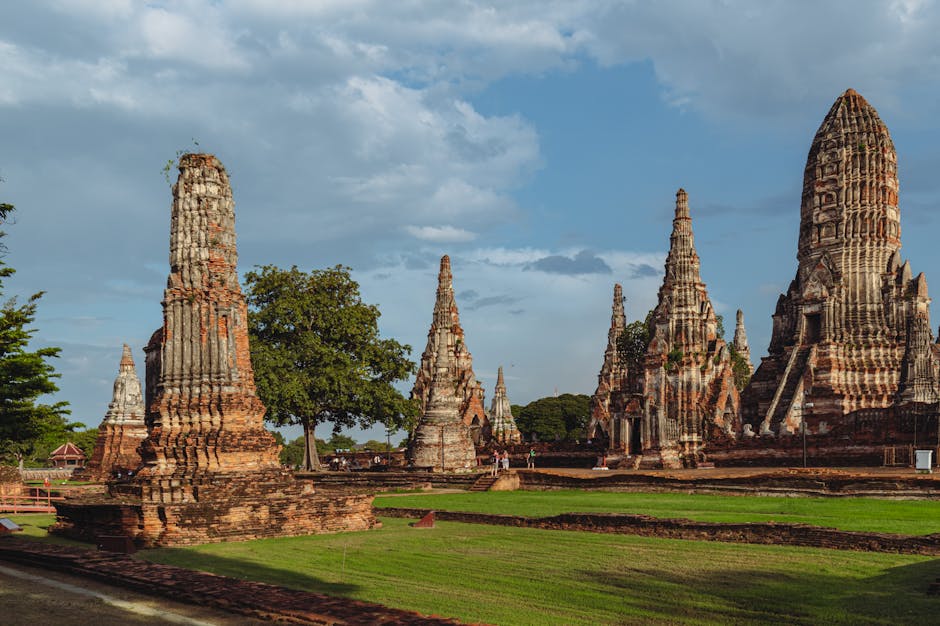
point(772, 484)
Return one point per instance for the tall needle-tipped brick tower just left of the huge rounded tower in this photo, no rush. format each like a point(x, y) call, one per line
point(688, 380)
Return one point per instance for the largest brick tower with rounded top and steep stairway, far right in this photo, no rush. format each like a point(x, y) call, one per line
point(851, 336)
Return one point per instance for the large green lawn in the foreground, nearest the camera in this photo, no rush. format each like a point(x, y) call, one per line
point(510, 576)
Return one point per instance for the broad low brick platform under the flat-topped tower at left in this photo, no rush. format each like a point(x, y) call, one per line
point(224, 508)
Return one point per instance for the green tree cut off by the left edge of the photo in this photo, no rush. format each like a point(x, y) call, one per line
point(25, 376)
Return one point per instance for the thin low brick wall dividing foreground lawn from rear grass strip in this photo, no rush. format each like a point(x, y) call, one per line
point(643, 525)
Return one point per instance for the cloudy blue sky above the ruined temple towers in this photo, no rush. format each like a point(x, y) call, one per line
point(538, 143)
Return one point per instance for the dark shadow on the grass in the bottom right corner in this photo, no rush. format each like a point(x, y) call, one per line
point(759, 596)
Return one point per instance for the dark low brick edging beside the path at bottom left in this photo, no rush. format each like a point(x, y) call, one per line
point(257, 600)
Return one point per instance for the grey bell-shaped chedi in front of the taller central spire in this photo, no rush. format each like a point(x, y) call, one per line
point(442, 439)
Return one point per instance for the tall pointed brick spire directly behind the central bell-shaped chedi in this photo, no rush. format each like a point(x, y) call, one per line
point(469, 391)
